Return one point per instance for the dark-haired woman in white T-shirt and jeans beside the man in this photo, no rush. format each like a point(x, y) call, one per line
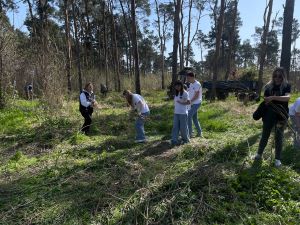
point(181, 102)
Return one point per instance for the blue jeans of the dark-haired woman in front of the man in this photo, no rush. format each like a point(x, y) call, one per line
point(180, 124)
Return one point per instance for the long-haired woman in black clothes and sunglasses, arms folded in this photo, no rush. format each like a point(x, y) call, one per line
point(276, 98)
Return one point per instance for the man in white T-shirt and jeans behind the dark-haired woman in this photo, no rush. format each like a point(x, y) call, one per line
point(195, 94)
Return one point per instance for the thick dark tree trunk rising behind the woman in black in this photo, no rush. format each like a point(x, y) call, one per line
point(285, 60)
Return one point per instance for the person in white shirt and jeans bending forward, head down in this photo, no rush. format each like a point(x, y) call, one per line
point(138, 103)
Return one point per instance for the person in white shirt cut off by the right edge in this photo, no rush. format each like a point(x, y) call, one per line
point(294, 112)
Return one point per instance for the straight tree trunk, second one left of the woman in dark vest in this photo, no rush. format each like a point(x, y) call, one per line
point(68, 44)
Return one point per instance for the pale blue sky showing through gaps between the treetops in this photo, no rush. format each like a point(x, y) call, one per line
point(251, 13)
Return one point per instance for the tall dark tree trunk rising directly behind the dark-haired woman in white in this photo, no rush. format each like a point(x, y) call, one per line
point(175, 41)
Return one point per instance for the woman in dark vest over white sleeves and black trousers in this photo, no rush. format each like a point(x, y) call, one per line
point(87, 102)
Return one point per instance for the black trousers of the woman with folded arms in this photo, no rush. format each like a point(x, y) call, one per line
point(269, 122)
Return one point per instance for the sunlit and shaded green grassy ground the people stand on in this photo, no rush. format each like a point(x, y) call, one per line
point(52, 174)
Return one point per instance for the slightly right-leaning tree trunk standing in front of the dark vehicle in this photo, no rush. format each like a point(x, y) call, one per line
point(217, 53)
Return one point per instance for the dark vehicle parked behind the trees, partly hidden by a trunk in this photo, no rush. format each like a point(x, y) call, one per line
point(244, 90)
